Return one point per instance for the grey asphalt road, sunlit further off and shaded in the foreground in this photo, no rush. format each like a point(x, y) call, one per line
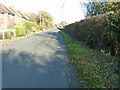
point(39, 61)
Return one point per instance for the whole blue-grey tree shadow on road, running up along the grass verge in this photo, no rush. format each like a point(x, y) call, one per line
point(30, 70)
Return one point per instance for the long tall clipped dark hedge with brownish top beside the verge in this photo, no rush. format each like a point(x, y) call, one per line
point(97, 32)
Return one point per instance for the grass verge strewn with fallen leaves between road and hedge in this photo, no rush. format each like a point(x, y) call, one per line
point(93, 69)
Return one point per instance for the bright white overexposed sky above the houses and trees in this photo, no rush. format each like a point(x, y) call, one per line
point(70, 12)
